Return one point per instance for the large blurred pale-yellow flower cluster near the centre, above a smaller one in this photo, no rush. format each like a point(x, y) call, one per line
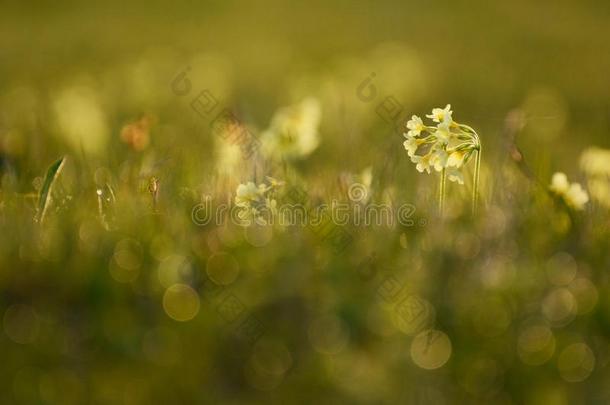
point(293, 132)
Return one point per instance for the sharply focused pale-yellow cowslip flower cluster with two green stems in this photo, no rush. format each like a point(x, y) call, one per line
point(445, 147)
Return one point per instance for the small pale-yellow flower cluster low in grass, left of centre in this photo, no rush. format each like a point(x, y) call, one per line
point(256, 202)
